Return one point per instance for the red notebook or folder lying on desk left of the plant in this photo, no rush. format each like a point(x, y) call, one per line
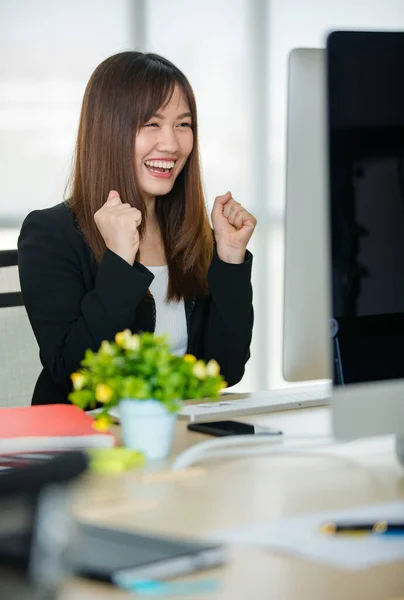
point(49, 427)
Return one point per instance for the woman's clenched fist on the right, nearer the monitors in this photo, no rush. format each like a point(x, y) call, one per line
point(233, 226)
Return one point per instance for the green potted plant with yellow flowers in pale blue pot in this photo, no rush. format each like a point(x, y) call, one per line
point(138, 372)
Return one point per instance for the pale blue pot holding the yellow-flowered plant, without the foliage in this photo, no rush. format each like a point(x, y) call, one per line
point(147, 426)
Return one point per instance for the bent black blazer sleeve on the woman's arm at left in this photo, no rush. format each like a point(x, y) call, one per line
point(67, 316)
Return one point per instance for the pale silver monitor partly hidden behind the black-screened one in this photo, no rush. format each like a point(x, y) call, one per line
point(307, 350)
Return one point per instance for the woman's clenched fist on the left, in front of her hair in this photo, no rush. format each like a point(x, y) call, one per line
point(118, 224)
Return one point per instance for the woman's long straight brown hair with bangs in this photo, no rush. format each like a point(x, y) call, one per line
point(123, 93)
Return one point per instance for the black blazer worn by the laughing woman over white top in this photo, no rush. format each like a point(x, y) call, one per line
point(74, 304)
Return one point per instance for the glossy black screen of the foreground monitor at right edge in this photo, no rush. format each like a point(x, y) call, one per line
point(366, 143)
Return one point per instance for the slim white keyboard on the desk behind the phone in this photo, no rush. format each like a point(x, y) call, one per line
point(258, 403)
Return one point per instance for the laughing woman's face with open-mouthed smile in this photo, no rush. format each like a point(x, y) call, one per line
point(162, 147)
